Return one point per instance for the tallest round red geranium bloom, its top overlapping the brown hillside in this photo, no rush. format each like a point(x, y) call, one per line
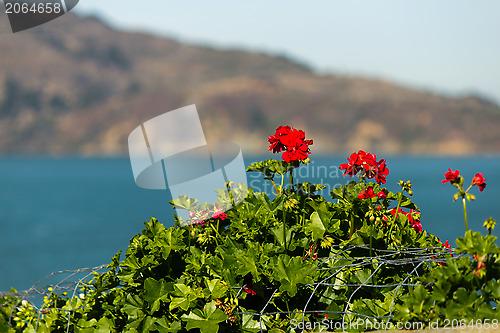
point(292, 141)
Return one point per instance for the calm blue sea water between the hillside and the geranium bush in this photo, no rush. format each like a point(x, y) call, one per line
point(68, 213)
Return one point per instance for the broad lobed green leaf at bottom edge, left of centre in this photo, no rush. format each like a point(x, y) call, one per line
point(207, 321)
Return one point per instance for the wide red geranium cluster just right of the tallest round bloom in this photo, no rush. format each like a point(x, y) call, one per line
point(366, 165)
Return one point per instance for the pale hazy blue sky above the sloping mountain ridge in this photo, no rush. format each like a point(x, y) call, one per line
point(449, 46)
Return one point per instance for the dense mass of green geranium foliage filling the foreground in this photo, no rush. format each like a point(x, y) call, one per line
point(262, 264)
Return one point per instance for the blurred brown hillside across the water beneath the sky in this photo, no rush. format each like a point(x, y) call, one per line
point(76, 85)
